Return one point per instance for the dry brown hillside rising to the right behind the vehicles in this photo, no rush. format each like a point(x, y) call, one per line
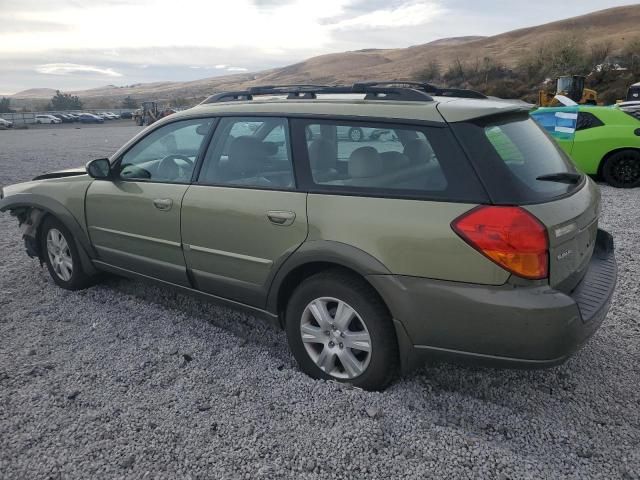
point(614, 26)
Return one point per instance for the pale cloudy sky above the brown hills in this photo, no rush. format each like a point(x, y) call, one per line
point(78, 44)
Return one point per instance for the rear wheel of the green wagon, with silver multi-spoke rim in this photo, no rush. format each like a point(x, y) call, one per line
point(325, 353)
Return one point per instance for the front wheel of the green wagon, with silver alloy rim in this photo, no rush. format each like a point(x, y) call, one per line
point(61, 256)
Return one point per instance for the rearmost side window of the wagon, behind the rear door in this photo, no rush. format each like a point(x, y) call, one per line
point(387, 160)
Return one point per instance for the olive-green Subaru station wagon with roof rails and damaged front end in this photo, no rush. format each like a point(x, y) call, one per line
point(462, 231)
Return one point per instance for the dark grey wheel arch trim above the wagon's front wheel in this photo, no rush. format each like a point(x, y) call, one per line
point(46, 204)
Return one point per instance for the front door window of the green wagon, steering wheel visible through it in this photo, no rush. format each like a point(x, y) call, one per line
point(168, 154)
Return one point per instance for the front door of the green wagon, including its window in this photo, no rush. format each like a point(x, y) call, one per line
point(134, 220)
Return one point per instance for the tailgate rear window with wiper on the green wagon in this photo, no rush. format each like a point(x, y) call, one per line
point(511, 154)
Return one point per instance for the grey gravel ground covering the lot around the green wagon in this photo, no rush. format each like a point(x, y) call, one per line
point(131, 380)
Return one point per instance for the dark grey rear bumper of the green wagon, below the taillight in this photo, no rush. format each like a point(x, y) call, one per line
point(505, 325)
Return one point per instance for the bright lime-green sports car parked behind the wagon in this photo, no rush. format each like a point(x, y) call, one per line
point(602, 141)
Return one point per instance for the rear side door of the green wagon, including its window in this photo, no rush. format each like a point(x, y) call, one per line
point(244, 216)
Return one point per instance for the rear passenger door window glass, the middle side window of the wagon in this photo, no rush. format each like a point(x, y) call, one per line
point(253, 152)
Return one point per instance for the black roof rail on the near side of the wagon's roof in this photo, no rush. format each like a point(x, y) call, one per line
point(372, 92)
